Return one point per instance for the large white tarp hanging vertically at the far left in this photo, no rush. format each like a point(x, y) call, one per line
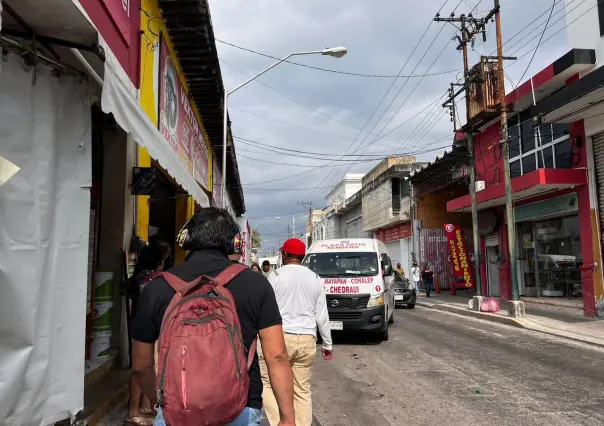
point(44, 217)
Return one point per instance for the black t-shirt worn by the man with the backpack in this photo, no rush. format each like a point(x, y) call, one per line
point(254, 299)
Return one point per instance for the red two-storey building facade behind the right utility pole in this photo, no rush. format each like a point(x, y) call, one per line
point(557, 244)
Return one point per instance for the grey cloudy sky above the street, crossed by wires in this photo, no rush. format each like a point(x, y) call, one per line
point(318, 114)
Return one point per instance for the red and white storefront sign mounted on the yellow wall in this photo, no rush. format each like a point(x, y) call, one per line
point(177, 121)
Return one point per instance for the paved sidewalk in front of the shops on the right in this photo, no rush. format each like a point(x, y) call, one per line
point(572, 327)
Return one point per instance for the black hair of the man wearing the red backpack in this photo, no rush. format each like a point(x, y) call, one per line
point(212, 229)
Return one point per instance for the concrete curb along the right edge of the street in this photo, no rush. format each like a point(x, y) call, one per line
point(518, 323)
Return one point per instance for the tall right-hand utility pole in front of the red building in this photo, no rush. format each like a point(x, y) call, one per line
point(517, 306)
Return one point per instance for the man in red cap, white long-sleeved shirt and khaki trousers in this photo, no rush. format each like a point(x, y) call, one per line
point(303, 306)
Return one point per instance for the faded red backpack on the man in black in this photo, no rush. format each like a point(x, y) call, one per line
point(203, 375)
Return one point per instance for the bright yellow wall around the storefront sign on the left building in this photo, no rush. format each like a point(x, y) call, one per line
point(151, 26)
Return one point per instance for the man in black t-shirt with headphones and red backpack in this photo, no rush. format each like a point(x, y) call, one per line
point(206, 314)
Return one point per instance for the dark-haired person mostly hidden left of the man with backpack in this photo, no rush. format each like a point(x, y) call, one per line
point(149, 263)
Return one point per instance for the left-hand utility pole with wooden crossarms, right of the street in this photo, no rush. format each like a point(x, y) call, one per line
point(469, 27)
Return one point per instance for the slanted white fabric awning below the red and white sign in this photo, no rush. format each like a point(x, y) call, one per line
point(117, 100)
